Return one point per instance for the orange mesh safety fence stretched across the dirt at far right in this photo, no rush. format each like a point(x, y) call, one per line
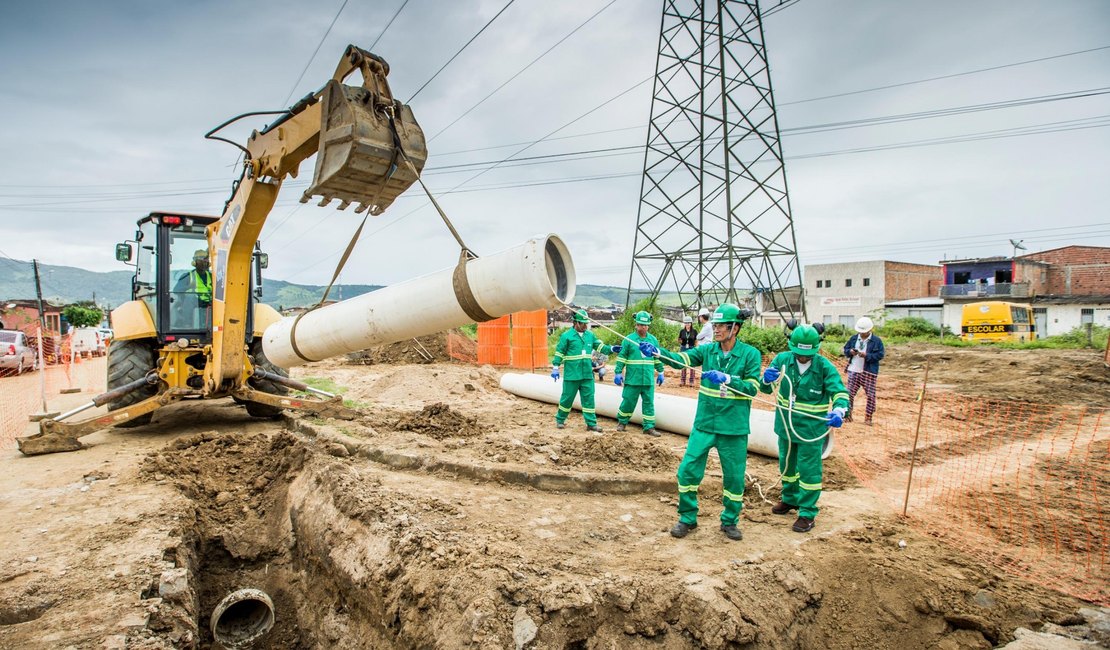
point(1022, 486)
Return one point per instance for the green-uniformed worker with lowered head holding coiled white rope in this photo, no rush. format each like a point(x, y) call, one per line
point(810, 385)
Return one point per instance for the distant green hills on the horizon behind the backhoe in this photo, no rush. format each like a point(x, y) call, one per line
point(68, 285)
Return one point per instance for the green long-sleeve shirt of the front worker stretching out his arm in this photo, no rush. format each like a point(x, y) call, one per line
point(722, 415)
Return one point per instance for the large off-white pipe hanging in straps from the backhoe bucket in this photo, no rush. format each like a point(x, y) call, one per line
point(536, 276)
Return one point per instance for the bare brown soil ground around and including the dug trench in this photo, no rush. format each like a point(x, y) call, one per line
point(455, 515)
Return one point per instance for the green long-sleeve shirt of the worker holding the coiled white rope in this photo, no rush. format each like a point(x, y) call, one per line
point(816, 392)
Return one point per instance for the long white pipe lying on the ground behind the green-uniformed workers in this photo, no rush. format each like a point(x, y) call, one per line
point(672, 413)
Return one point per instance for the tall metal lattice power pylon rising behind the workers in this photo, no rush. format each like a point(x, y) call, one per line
point(714, 218)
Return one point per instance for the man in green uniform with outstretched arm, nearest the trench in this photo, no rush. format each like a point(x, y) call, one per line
point(730, 380)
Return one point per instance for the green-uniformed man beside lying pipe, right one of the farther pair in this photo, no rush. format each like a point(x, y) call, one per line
point(640, 375)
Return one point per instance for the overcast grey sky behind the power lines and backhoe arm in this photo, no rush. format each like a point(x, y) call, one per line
point(105, 106)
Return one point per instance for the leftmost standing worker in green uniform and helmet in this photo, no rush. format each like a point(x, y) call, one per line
point(576, 351)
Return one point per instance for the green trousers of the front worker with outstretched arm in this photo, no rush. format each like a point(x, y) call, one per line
point(734, 459)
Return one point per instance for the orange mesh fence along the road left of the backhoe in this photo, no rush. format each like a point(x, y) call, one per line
point(38, 388)
